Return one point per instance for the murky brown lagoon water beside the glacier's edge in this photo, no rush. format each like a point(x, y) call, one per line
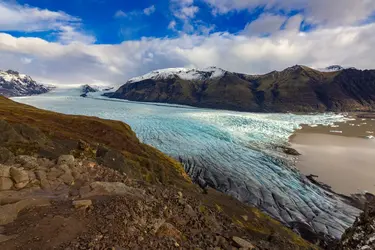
point(338, 157)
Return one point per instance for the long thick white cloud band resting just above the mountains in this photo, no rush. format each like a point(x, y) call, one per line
point(78, 63)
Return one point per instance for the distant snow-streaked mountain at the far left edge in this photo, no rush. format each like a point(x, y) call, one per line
point(13, 83)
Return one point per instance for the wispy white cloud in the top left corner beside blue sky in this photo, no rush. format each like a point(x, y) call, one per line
point(15, 17)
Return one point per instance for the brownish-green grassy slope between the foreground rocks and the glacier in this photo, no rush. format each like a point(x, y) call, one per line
point(67, 132)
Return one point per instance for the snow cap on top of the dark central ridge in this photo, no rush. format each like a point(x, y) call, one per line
point(189, 74)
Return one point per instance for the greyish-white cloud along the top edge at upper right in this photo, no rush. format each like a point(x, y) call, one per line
point(322, 12)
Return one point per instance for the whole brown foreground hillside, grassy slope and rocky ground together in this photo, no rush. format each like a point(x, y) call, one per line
point(75, 182)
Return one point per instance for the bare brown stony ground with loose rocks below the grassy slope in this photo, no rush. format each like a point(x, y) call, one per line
point(78, 204)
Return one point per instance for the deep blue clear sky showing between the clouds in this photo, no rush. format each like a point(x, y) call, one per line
point(112, 21)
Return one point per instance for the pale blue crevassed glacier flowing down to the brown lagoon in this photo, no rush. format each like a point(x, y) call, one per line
point(233, 152)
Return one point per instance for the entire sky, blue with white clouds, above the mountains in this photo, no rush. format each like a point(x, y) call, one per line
point(106, 42)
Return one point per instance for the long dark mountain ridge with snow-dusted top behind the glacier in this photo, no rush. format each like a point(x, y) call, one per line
point(297, 88)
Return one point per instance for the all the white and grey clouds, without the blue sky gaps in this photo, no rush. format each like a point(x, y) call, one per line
point(74, 59)
